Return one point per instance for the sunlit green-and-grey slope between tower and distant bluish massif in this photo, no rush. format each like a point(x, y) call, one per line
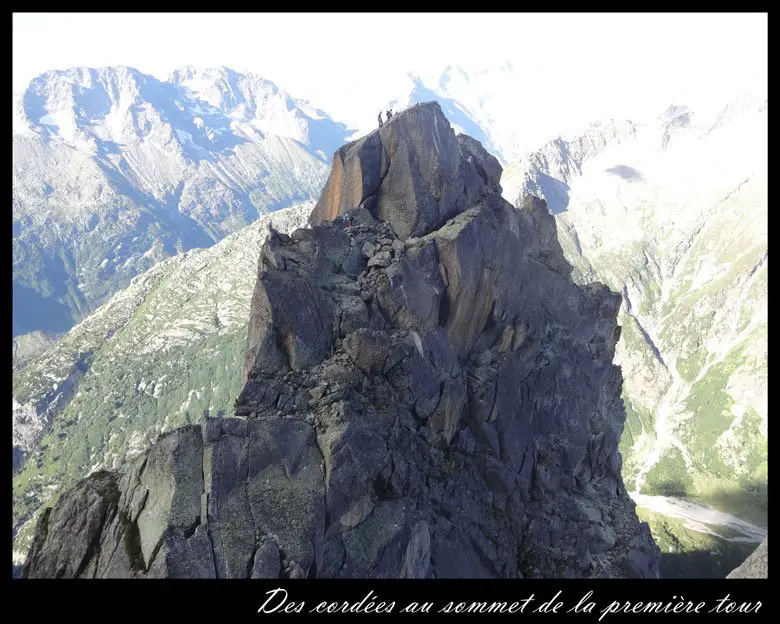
point(154, 356)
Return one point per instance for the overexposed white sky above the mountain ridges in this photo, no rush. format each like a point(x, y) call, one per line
point(569, 67)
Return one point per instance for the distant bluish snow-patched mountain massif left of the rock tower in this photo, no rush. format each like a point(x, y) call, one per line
point(115, 170)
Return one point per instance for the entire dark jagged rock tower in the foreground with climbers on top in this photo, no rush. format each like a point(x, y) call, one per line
point(428, 395)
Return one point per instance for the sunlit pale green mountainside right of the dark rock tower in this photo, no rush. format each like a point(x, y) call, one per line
point(673, 214)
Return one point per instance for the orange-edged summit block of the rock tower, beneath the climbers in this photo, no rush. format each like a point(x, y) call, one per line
point(413, 173)
